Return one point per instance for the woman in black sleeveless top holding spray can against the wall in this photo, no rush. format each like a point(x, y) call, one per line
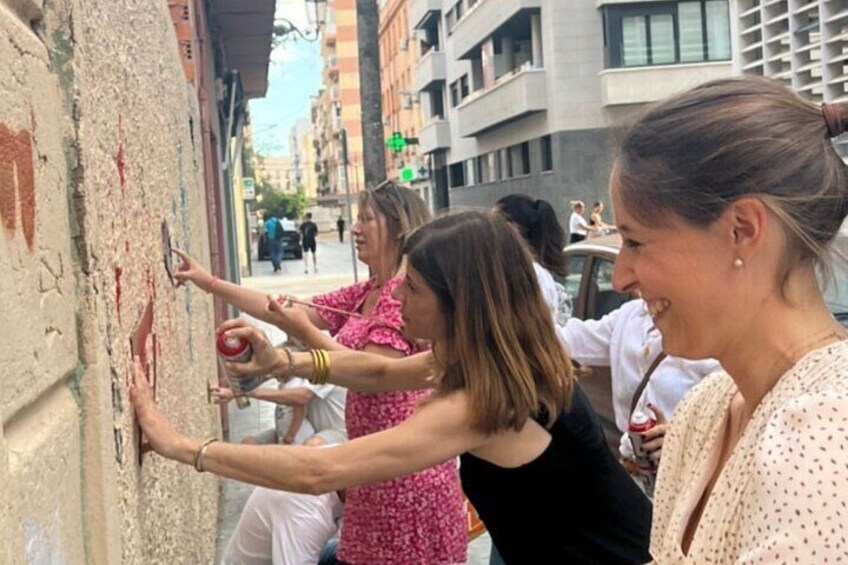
point(505, 401)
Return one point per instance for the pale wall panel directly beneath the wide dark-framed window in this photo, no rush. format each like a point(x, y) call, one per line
point(640, 85)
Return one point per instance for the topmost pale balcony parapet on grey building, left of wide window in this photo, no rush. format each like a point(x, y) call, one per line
point(484, 19)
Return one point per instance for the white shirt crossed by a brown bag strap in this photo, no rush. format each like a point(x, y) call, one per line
point(626, 341)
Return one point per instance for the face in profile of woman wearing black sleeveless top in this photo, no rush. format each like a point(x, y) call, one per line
point(422, 313)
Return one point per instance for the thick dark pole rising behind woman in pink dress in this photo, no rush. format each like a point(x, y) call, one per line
point(373, 150)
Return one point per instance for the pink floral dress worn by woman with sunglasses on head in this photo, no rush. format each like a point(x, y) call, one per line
point(415, 519)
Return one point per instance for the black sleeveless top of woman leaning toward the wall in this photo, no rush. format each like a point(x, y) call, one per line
point(572, 504)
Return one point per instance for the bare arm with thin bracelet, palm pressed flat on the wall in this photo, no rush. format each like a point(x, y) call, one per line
point(435, 433)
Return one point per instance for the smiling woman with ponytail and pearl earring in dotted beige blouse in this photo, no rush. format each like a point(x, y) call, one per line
point(728, 198)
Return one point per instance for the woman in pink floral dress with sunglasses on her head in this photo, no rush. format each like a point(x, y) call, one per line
point(418, 518)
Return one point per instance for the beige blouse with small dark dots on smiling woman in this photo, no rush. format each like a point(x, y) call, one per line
point(782, 496)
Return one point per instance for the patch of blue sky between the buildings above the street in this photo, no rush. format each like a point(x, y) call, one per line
point(293, 76)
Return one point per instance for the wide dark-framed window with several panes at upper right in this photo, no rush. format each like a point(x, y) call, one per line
point(666, 33)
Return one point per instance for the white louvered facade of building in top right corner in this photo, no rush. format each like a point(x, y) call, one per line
point(801, 42)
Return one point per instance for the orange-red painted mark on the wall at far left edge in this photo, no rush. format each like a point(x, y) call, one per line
point(17, 182)
